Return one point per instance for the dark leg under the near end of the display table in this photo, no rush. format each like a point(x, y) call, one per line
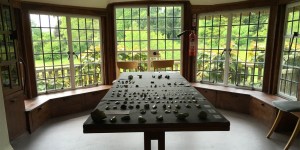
point(148, 136)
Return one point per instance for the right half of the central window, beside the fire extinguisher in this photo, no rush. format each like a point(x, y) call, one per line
point(164, 22)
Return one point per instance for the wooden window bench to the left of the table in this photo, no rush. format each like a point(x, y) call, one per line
point(42, 108)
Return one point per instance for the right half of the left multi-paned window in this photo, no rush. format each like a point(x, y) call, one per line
point(87, 57)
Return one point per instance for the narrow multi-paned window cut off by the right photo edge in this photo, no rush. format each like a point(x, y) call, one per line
point(290, 62)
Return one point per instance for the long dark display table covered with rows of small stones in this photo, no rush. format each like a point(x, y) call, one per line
point(155, 103)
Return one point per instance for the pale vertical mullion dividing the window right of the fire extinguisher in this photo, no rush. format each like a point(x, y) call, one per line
point(227, 50)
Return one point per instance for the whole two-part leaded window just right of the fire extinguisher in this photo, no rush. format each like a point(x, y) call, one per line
point(231, 48)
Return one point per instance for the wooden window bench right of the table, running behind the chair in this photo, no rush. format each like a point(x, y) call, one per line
point(255, 103)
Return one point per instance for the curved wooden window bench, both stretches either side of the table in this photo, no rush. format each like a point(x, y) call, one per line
point(255, 103)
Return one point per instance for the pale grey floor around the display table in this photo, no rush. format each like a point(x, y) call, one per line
point(65, 133)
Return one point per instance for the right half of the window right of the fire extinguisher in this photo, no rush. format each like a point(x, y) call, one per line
point(249, 45)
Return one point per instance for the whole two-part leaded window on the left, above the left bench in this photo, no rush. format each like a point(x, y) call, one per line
point(67, 51)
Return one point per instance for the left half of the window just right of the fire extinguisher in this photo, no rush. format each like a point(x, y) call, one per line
point(210, 60)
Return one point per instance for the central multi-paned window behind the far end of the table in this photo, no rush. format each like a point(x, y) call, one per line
point(147, 33)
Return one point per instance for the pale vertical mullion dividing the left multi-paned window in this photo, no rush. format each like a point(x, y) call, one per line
point(71, 60)
